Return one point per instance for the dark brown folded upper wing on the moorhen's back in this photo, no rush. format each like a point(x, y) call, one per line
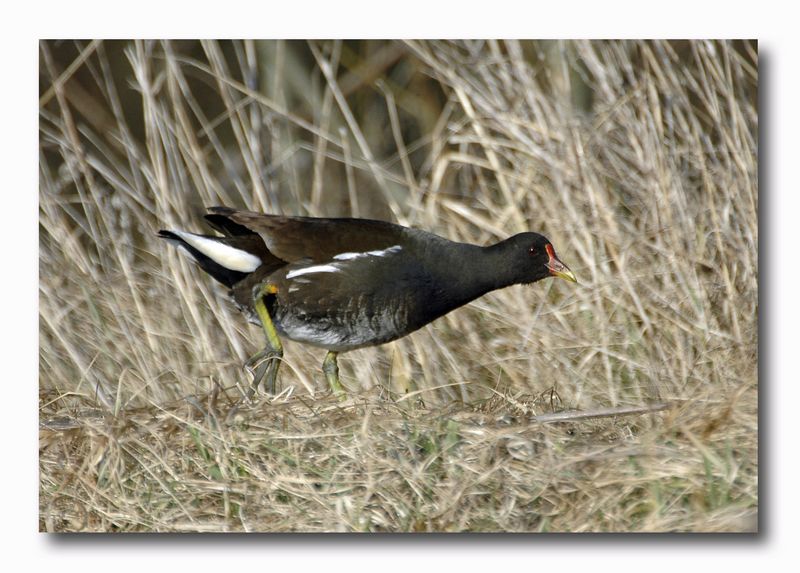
point(315, 239)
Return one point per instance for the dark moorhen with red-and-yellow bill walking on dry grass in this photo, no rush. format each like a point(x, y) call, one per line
point(342, 284)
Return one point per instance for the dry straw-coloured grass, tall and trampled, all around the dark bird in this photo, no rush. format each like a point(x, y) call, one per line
point(637, 159)
